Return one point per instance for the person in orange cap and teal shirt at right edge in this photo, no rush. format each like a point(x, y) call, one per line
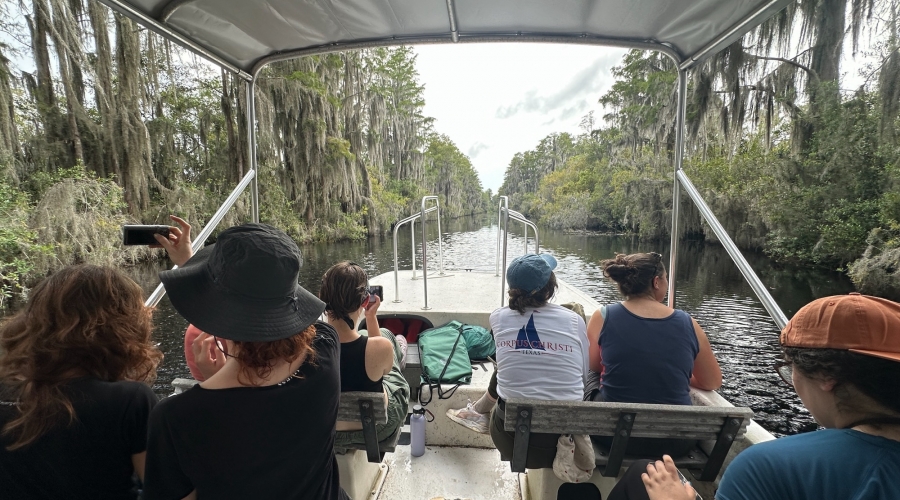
point(842, 356)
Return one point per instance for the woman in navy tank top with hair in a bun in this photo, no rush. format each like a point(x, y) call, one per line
point(645, 351)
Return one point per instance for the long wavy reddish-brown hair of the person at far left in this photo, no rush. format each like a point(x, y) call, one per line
point(82, 321)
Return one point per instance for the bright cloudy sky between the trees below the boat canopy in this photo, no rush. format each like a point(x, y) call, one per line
point(496, 100)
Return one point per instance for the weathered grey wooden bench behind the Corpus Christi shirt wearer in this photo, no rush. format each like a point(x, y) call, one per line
point(715, 427)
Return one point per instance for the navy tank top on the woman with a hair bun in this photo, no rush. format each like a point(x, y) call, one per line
point(647, 360)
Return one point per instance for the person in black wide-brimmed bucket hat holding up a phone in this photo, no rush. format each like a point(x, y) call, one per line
point(268, 407)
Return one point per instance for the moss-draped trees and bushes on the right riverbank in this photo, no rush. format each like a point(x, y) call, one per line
point(791, 161)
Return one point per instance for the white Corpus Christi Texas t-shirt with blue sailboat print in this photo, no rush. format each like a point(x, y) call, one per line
point(541, 354)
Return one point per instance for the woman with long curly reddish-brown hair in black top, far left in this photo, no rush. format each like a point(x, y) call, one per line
point(74, 393)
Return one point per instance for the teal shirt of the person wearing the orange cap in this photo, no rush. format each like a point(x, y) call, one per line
point(833, 463)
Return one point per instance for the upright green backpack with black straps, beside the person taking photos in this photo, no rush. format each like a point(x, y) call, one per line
point(445, 360)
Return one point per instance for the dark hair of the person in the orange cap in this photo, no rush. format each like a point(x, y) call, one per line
point(875, 377)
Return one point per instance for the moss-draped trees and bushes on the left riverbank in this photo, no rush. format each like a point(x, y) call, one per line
point(103, 123)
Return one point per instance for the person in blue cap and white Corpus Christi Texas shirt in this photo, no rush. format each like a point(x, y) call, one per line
point(542, 353)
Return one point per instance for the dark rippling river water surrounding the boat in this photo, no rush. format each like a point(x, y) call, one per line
point(709, 287)
